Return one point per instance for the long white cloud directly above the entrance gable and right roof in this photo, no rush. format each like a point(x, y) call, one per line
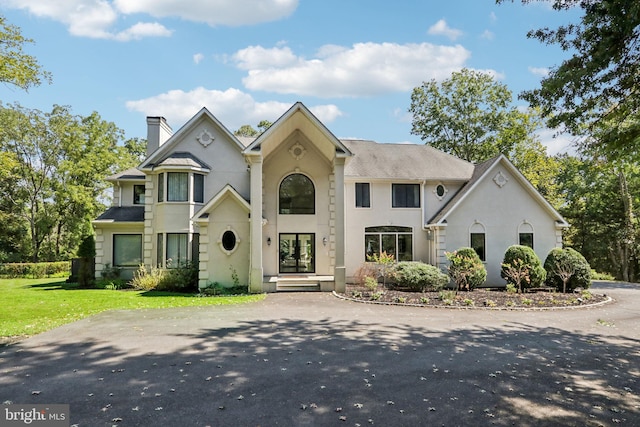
point(365, 69)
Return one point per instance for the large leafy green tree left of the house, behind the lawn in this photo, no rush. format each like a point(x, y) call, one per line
point(59, 164)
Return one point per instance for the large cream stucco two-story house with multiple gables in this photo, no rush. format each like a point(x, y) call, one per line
point(298, 208)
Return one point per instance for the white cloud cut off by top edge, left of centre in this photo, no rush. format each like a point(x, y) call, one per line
point(212, 12)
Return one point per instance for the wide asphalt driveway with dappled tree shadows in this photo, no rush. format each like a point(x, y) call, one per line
point(299, 359)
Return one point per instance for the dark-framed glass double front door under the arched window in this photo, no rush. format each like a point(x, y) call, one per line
point(297, 253)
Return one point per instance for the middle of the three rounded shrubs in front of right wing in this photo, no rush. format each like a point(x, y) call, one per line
point(522, 267)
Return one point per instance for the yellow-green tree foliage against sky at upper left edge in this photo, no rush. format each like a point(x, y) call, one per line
point(16, 67)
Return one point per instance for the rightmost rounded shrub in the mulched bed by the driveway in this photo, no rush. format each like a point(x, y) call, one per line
point(567, 270)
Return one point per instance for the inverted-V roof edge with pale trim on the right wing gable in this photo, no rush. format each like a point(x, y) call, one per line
point(481, 170)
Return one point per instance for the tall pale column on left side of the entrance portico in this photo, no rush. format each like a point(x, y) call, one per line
point(256, 275)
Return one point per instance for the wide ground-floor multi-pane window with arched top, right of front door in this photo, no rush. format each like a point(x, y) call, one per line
point(396, 241)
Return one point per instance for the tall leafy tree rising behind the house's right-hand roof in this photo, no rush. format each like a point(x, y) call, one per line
point(470, 116)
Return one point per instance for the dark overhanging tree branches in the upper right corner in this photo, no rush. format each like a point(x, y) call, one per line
point(600, 81)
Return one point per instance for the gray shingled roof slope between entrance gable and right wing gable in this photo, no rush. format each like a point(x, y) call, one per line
point(404, 161)
